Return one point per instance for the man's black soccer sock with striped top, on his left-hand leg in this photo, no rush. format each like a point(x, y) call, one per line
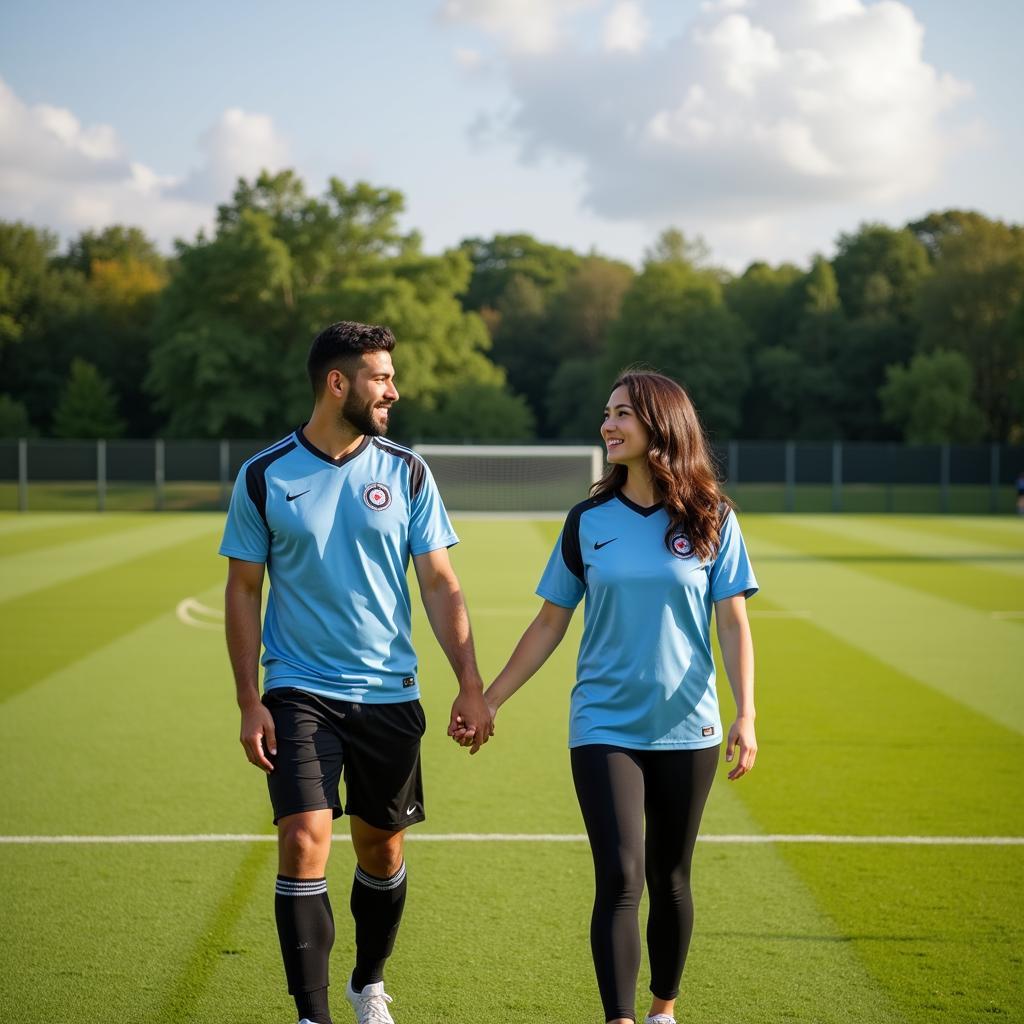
point(306, 928)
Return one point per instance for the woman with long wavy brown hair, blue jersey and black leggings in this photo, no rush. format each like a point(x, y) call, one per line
point(654, 550)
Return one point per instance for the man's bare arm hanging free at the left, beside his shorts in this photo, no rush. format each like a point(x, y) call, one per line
point(243, 604)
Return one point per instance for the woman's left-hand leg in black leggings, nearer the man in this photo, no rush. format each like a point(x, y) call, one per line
point(610, 788)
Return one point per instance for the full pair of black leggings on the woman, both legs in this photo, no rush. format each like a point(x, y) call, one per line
point(617, 790)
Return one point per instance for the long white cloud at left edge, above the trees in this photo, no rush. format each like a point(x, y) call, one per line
point(68, 177)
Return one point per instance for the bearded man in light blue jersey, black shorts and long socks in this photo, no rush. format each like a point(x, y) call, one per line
point(334, 513)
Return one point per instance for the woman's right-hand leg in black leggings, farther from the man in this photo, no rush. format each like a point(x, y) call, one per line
point(676, 788)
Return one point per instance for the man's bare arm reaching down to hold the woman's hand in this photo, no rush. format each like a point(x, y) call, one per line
point(449, 619)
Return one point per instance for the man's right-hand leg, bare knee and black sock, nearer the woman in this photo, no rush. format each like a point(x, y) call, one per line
point(378, 899)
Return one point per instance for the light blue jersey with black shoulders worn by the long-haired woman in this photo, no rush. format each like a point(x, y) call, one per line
point(646, 676)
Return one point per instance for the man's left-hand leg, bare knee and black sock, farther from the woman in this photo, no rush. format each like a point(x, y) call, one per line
point(306, 924)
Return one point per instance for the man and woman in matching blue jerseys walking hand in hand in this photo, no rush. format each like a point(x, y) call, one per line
point(334, 513)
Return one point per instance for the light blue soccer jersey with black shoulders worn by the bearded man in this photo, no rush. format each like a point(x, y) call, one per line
point(336, 536)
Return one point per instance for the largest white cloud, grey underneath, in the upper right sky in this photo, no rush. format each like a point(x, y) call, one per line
point(759, 105)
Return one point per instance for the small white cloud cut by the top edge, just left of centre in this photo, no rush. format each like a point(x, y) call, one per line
point(524, 26)
